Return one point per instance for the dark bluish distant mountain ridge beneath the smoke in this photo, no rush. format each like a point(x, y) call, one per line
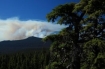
point(25, 44)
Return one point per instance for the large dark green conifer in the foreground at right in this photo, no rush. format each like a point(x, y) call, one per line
point(81, 45)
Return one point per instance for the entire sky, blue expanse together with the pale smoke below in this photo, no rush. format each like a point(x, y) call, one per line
point(20, 19)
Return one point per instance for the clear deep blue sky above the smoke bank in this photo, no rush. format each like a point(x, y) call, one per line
point(28, 9)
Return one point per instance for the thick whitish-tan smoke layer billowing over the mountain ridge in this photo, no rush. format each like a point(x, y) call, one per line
point(15, 29)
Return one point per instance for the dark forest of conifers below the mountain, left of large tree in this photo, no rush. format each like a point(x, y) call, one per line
point(33, 60)
